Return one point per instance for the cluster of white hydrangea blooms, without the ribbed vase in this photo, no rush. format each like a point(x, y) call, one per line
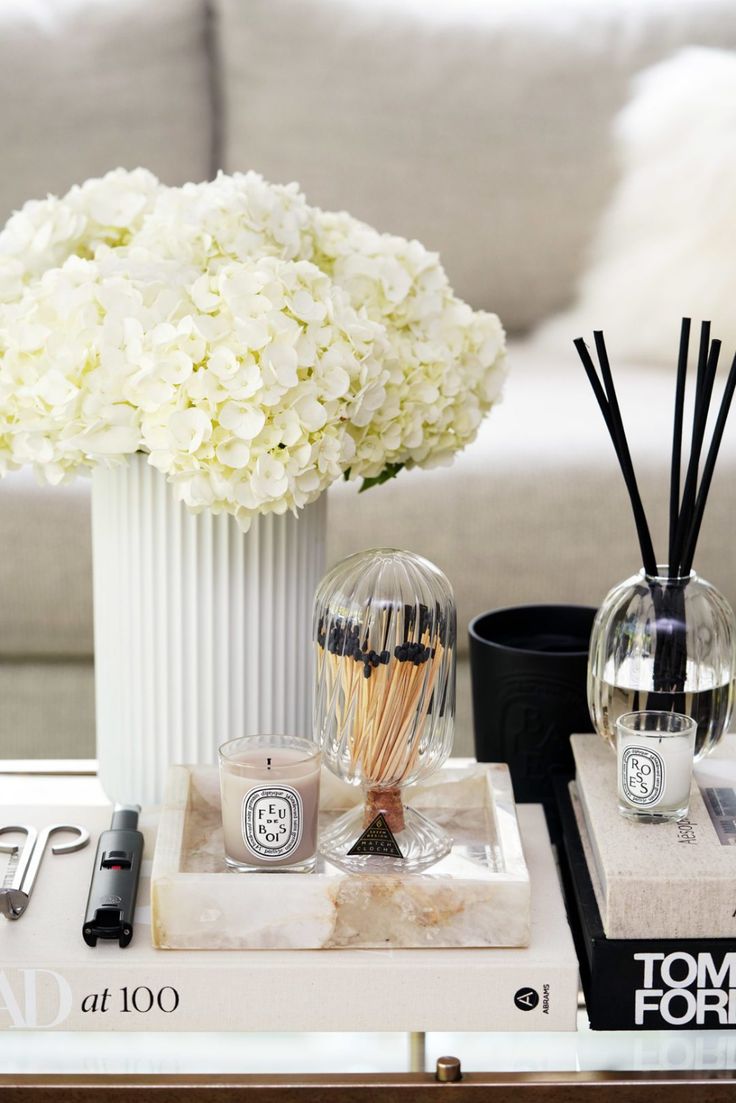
point(258, 349)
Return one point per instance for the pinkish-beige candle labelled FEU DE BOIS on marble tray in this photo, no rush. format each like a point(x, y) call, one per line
point(270, 791)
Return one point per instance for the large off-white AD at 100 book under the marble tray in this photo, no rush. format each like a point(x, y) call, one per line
point(51, 980)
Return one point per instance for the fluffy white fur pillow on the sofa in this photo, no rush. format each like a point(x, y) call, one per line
point(667, 245)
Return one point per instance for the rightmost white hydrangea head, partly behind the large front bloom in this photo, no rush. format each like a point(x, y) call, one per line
point(447, 362)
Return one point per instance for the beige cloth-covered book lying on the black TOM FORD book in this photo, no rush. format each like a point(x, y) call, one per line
point(669, 881)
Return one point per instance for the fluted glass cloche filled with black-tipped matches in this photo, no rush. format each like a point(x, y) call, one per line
point(385, 703)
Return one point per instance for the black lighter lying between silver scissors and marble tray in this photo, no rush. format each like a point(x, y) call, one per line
point(112, 901)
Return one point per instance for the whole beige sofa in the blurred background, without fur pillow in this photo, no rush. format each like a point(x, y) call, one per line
point(482, 128)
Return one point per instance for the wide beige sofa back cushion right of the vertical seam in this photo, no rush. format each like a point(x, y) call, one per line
point(481, 128)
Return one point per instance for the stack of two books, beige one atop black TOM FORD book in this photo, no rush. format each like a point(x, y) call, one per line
point(653, 907)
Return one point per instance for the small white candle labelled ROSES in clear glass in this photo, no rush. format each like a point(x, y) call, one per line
point(655, 758)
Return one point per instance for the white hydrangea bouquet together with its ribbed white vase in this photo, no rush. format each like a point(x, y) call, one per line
point(249, 350)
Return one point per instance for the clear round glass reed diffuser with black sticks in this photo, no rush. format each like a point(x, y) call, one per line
point(666, 639)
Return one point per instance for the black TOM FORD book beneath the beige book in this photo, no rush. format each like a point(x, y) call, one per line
point(641, 984)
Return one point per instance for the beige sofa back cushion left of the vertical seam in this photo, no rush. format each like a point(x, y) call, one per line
point(89, 85)
